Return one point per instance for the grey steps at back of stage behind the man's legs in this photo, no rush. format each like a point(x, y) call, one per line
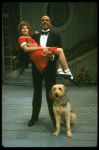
point(26, 79)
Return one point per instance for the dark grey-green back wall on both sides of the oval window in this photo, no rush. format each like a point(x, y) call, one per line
point(82, 20)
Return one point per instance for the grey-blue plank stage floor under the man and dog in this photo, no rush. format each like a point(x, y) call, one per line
point(16, 112)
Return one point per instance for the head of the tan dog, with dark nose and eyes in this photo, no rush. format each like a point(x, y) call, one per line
point(58, 91)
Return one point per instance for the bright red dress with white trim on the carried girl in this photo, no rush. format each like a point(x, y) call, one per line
point(39, 60)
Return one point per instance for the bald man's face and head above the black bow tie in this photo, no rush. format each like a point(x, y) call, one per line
point(45, 23)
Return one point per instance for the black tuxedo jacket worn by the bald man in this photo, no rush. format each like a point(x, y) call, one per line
point(53, 40)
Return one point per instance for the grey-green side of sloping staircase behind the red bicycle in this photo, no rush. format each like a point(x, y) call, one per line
point(87, 60)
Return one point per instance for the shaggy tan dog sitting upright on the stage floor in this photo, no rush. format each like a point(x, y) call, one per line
point(61, 108)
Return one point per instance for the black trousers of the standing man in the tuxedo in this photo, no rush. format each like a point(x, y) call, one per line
point(50, 80)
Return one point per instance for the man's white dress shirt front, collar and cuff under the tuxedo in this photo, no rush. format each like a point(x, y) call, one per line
point(43, 40)
